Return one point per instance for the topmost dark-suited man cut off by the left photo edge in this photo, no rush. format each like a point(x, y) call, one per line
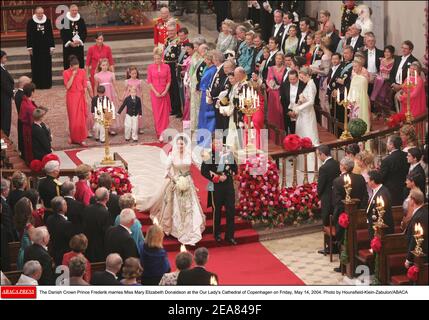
point(7, 85)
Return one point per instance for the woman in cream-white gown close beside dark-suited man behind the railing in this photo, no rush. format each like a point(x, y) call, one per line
point(306, 122)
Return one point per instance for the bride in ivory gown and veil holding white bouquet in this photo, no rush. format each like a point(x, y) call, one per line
point(177, 207)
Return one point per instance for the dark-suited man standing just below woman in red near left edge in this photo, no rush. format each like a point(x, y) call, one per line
point(41, 136)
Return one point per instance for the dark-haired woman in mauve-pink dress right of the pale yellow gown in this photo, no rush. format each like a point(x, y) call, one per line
point(381, 92)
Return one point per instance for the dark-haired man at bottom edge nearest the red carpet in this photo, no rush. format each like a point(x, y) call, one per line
point(198, 276)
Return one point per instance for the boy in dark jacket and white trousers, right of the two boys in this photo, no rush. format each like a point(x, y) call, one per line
point(134, 112)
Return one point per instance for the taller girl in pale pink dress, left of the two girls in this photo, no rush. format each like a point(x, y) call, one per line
point(107, 79)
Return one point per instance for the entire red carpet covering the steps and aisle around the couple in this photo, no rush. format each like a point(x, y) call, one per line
point(249, 263)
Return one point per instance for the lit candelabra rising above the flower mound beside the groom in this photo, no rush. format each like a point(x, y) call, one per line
point(249, 105)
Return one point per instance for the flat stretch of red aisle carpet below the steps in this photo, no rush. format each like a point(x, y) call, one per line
point(248, 264)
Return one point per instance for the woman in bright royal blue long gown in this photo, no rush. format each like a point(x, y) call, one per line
point(206, 117)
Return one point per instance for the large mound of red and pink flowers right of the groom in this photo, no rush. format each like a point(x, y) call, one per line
point(262, 200)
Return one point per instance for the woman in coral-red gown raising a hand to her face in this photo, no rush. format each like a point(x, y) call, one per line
point(75, 82)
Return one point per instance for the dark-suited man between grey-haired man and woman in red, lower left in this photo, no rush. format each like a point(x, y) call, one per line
point(60, 229)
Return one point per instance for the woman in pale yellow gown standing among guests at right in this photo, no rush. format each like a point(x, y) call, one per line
point(358, 93)
